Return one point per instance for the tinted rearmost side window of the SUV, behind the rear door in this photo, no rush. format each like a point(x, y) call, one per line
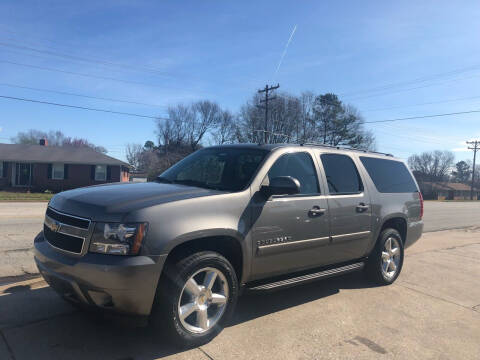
point(389, 176)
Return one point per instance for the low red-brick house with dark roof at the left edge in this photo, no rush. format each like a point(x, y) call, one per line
point(42, 167)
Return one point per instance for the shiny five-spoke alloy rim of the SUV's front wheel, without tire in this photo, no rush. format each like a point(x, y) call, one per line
point(203, 300)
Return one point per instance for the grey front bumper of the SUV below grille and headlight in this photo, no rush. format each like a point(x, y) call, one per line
point(122, 284)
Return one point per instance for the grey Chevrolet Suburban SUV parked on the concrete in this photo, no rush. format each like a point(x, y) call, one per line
point(227, 218)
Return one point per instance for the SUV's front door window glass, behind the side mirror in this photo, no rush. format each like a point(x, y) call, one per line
point(300, 166)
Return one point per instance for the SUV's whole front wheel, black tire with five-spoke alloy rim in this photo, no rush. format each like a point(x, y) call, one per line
point(198, 295)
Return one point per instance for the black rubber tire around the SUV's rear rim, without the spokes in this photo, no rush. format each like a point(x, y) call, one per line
point(375, 265)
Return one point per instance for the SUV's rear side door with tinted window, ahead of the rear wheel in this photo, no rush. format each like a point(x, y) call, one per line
point(350, 210)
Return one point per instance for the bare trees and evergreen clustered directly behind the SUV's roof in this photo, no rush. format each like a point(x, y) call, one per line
point(322, 118)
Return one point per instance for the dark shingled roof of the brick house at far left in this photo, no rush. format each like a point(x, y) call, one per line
point(53, 154)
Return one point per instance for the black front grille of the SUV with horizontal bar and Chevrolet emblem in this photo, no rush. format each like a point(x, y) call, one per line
point(65, 232)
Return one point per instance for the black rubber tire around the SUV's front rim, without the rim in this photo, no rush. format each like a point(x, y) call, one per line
point(170, 289)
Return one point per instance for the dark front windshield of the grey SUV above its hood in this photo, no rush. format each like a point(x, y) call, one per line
point(229, 169)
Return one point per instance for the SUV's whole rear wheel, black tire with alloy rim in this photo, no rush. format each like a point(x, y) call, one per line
point(386, 260)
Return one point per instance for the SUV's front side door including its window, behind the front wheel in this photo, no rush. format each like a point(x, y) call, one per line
point(290, 232)
